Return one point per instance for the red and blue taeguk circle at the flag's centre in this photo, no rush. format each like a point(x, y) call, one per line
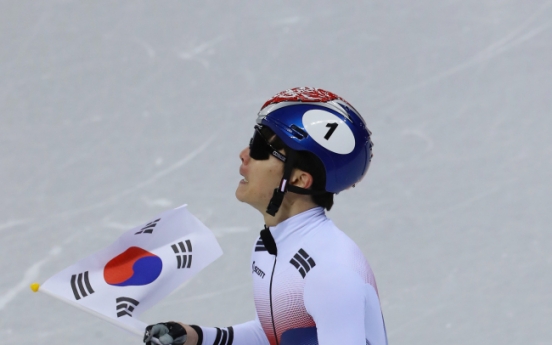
point(133, 267)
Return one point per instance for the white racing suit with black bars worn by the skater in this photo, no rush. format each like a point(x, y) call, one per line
point(317, 289)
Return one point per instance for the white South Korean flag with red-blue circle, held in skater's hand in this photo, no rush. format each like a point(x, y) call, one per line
point(144, 265)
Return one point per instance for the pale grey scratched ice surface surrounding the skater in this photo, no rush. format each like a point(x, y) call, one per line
point(114, 111)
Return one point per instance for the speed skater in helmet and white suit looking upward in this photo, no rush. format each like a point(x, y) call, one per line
point(312, 284)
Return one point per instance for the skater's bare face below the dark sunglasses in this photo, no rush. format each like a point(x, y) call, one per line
point(260, 178)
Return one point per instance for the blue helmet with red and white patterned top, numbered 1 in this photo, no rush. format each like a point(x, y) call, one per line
point(320, 122)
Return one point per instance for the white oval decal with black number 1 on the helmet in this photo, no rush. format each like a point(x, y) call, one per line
point(329, 131)
